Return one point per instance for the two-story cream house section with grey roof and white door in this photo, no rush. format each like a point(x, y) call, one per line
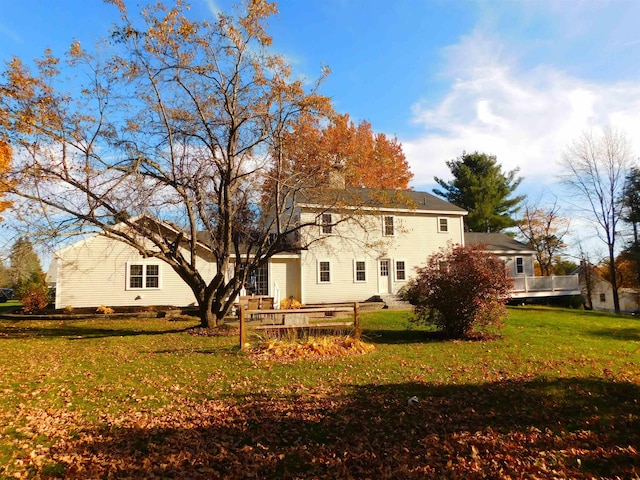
point(370, 244)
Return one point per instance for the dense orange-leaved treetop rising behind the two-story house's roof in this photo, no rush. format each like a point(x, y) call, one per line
point(365, 158)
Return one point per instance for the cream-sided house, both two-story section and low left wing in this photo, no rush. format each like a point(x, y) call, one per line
point(350, 257)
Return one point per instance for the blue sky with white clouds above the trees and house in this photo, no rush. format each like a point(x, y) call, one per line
point(518, 79)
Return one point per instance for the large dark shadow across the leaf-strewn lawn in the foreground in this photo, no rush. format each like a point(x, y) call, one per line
point(567, 428)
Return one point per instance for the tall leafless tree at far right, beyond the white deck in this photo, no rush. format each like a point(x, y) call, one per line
point(596, 166)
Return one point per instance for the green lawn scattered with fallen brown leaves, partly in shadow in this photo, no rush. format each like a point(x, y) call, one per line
point(557, 396)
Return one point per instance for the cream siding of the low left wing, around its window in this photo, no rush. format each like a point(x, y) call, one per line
point(93, 272)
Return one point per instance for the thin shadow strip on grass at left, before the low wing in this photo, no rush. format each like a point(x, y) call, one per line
point(74, 332)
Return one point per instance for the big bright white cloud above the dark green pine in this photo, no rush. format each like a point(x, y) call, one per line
point(524, 117)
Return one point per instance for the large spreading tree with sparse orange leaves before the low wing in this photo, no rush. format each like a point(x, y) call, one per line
point(173, 118)
